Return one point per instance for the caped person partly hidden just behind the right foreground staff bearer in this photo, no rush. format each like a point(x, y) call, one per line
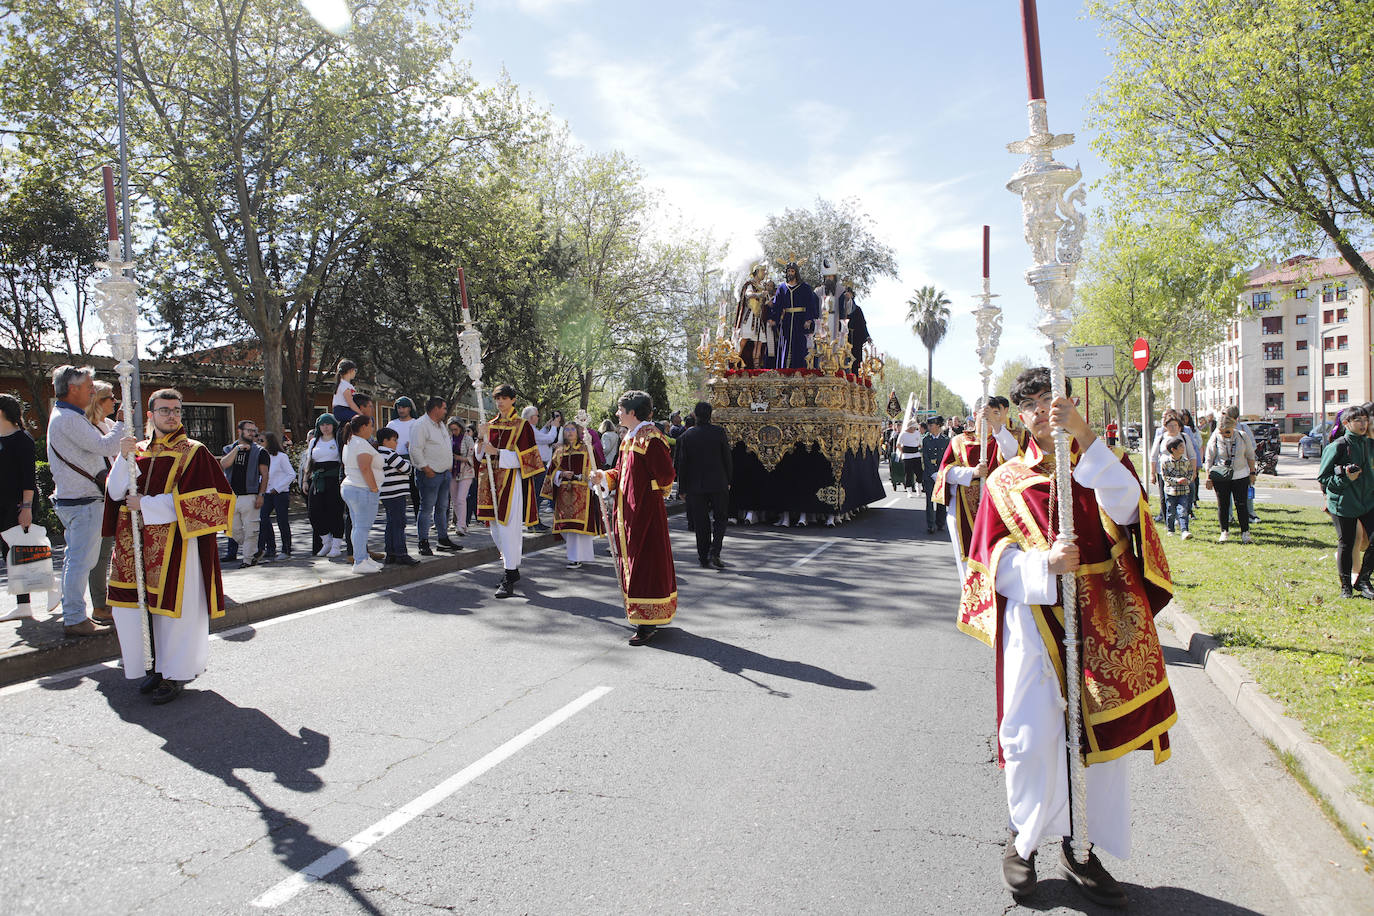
point(961, 474)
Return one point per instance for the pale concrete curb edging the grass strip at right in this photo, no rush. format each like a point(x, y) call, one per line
point(1328, 774)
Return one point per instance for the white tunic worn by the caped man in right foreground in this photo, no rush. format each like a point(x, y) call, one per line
point(1033, 733)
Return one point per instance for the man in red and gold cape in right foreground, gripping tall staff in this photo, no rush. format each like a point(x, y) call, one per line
point(1012, 602)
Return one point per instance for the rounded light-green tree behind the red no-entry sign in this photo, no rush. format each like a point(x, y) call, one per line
point(1156, 278)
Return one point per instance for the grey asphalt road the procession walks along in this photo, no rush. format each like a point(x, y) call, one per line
point(811, 737)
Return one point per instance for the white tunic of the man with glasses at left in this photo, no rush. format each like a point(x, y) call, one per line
point(182, 645)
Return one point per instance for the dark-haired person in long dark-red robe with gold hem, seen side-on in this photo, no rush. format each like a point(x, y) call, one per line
point(640, 481)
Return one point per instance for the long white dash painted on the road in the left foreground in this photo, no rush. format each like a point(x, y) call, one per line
point(405, 815)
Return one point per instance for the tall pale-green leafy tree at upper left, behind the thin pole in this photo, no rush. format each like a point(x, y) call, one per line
point(263, 146)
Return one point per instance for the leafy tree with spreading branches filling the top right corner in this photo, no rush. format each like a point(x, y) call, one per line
point(1276, 145)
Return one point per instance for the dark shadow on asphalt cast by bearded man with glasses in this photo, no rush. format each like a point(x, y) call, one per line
point(218, 738)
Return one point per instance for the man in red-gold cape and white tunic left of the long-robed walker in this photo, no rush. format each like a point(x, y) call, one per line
point(508, 446)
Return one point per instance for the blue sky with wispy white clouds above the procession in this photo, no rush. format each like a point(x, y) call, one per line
point(737, 111)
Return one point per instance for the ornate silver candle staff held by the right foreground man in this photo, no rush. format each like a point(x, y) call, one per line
point(1055, 231)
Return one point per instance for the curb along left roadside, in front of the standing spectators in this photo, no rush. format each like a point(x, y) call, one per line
point(52, 660)
